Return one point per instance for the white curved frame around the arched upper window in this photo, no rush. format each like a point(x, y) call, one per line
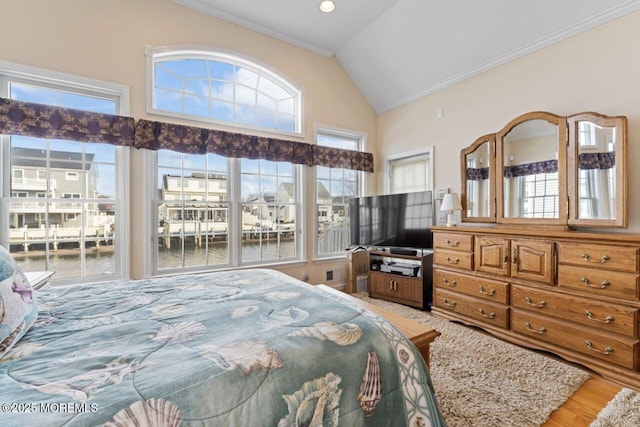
point(223, 55)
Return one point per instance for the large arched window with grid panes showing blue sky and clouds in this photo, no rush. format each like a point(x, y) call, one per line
point(221, 87)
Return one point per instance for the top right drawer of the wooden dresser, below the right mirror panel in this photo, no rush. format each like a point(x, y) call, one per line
point(620, 258)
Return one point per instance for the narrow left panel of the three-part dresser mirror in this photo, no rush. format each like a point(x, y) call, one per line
point(478, 170)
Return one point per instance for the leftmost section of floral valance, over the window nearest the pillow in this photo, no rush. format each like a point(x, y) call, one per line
point(47, 121)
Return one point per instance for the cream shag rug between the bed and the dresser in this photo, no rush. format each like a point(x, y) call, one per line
point(483, 381)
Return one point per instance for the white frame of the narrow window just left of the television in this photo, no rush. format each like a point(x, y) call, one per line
point(362, 183)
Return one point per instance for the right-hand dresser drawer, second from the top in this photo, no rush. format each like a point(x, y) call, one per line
point(599, 282)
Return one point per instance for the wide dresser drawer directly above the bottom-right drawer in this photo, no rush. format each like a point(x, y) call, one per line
point(614, 318)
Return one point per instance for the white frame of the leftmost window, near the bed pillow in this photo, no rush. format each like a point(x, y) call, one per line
point(120, 94)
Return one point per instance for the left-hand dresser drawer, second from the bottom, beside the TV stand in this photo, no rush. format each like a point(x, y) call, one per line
point(479, 287)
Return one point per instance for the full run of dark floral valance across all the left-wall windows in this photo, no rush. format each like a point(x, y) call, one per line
point(45, 121)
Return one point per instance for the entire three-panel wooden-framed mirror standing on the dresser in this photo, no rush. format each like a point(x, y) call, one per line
point(545, 169)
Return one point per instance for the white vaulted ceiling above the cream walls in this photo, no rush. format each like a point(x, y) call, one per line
point(399, 50)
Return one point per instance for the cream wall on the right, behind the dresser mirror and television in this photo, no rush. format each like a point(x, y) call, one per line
point(598, 70)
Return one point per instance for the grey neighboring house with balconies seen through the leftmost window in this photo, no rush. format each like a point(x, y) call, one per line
point(65, 181)
